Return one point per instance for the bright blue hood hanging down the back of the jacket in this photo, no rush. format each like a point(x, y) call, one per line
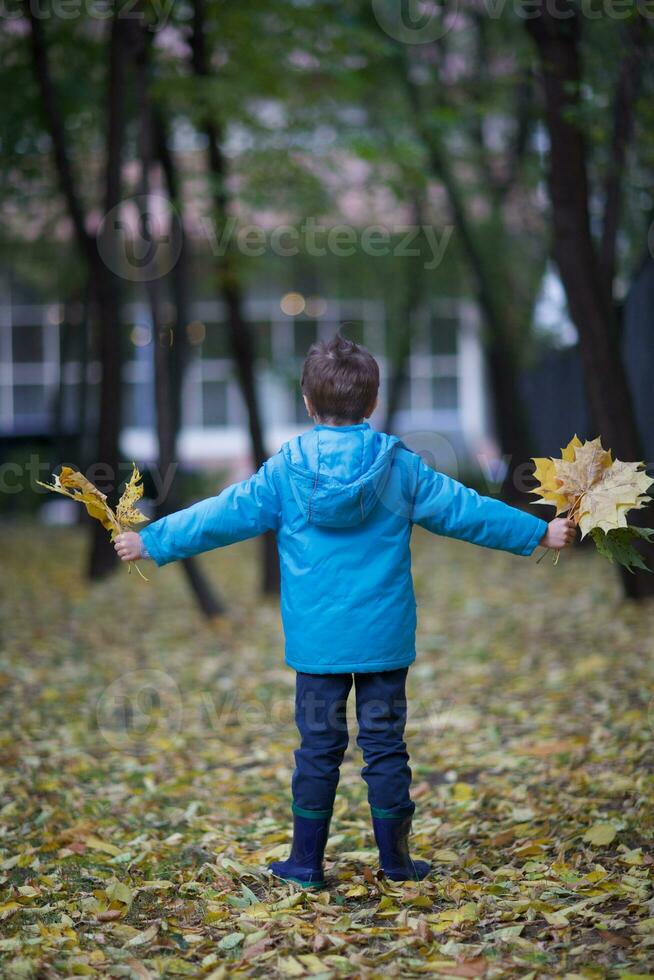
point(338, 473)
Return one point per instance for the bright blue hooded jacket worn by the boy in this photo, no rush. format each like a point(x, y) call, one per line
point(342, 502)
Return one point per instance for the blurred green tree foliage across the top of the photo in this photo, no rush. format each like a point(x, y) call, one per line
point(296, 88)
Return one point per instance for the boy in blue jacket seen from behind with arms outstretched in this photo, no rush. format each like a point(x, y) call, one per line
point(342, 500)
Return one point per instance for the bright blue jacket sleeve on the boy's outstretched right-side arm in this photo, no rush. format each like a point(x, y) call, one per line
point(446, 507)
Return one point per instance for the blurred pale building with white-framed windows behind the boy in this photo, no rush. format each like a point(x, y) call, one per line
point(48, 386)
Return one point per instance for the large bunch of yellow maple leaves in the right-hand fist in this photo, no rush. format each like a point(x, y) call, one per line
point(598, 492)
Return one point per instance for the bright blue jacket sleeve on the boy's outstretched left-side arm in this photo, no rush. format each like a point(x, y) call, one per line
point(239, 512)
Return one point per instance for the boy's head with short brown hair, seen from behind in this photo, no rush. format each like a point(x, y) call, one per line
point(340, 381)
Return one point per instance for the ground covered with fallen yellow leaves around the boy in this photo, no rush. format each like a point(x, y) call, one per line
point(147, 755)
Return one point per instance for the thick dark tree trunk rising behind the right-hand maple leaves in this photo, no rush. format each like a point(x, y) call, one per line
point(610, 403)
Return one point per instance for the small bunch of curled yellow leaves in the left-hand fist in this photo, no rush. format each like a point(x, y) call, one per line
point(71, 483)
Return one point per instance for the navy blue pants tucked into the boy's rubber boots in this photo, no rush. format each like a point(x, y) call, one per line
point(320, 714)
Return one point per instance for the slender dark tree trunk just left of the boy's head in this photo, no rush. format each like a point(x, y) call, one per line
point(240, 335)
